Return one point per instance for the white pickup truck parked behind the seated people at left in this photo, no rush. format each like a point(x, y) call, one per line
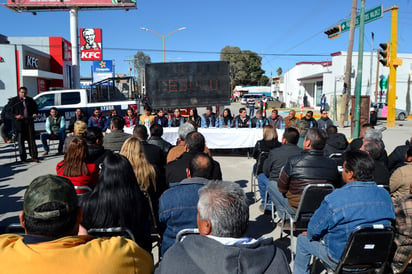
point(67, 101)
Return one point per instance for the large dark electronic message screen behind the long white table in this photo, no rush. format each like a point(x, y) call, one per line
point(188, 84)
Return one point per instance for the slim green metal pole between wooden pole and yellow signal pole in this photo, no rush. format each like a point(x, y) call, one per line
point(358, 86)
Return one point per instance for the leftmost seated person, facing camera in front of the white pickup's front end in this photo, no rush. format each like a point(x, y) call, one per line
point(55, 128)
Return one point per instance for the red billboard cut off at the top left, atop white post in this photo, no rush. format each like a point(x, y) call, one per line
point(38, 5)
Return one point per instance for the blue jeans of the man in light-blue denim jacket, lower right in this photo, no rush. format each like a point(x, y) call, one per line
point(304, 249)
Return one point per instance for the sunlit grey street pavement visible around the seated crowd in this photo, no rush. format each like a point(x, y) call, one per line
point(15, 177)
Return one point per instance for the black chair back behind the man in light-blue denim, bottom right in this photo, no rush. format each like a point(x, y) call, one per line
point(368, 248)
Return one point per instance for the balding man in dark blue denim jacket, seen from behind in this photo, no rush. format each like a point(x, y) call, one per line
point(177, 205)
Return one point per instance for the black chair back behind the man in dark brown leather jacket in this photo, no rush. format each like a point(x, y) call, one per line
point(312, 197)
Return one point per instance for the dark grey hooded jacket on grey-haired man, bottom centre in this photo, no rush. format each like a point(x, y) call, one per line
point(201, 254)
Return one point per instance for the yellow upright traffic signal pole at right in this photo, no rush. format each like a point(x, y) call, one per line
point(394, 62)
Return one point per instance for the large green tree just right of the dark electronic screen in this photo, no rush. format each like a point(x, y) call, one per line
point(245, 66)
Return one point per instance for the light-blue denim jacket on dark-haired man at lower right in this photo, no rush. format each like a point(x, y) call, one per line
point(355, 204)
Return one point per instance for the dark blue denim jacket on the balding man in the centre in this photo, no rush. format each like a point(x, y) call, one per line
point(178, 209)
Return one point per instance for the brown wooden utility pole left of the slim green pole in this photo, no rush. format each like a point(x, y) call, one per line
point(347, 83)
